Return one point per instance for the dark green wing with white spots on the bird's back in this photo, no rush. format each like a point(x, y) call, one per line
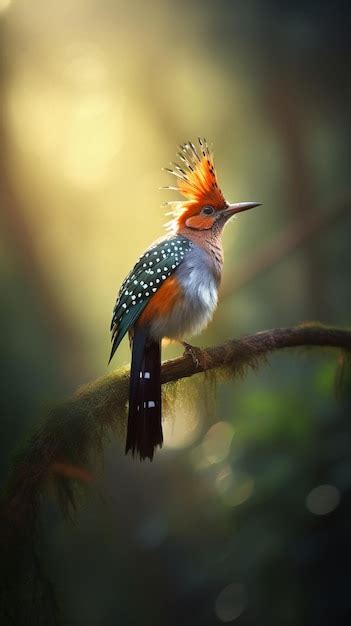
point(149, 273)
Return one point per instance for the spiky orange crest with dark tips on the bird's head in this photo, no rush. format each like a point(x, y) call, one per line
point(196, 181)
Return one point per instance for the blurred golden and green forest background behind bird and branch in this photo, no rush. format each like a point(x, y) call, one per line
point(244, 516)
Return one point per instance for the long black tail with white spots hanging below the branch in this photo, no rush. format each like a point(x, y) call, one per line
point(144, 432)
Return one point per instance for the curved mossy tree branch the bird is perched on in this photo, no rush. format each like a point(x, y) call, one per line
point(56, 454)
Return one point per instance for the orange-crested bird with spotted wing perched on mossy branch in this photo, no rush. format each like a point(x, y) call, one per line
point(172, 290)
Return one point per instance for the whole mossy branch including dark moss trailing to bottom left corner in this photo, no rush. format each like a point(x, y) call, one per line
point(55, 457)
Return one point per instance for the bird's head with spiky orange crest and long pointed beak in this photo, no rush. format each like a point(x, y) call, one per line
point(205, 207)
